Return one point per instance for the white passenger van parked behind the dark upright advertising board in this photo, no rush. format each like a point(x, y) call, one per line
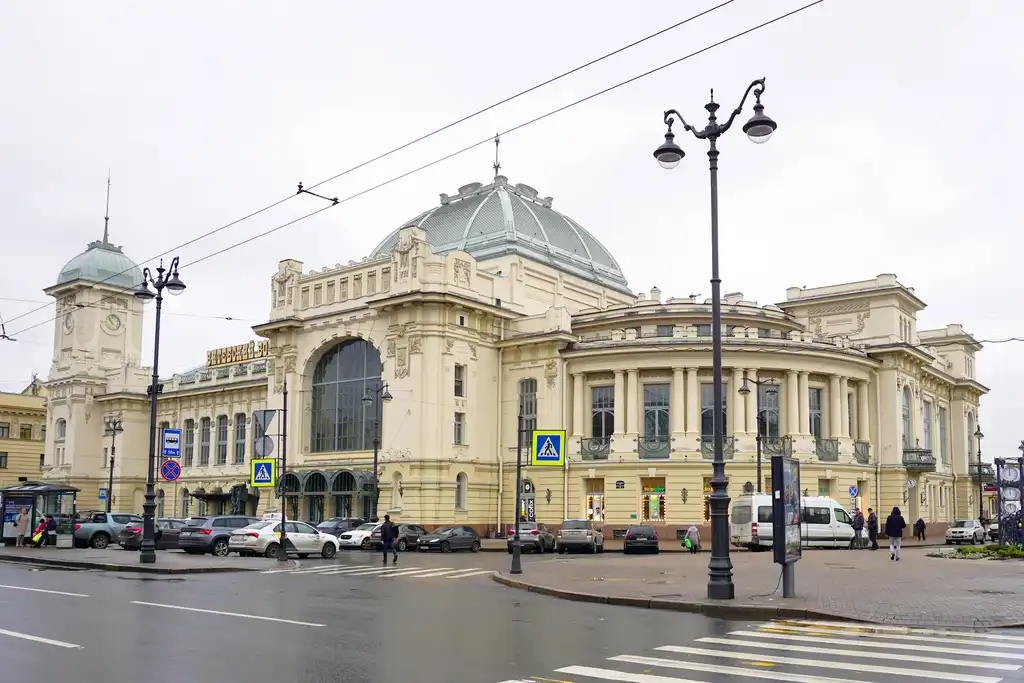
point(825, 524)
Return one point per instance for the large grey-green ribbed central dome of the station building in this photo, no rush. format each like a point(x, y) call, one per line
point(488, 222)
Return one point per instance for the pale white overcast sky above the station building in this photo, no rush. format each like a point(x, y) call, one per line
point(897, 151)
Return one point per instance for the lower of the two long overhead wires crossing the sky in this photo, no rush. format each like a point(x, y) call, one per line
point(487, 141)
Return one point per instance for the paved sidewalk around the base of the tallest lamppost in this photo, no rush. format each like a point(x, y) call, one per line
point(862, 586)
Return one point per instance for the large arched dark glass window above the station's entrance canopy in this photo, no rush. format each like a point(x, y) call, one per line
point(346, 374)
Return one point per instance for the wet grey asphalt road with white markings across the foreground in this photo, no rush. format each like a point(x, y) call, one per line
point(353, 622)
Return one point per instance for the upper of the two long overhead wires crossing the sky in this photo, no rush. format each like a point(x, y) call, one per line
point(416, 141)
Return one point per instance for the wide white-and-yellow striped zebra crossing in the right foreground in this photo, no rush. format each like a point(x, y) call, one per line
point(842, 653)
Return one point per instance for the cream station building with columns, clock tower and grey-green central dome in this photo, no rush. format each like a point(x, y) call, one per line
point(494, 302)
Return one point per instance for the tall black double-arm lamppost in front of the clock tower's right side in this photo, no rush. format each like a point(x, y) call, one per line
point(164, 279)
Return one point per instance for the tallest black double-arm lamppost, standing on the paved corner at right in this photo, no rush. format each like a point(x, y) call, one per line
point(758, 130)
